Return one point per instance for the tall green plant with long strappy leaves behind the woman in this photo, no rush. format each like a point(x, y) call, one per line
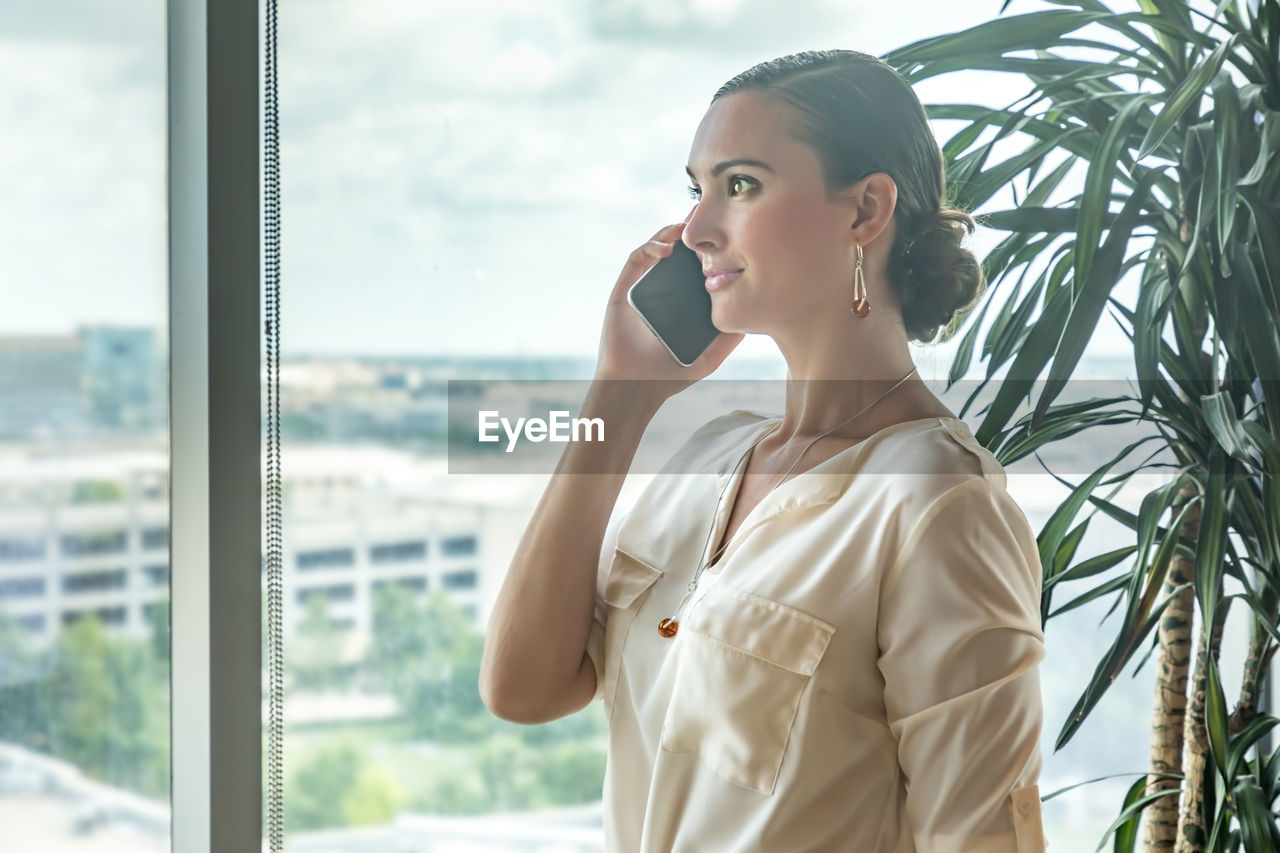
point(1172, 117)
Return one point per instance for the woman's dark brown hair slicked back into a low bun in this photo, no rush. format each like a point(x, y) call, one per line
point(861, 116)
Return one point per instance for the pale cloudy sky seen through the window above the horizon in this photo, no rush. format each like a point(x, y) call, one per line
point(456, 179)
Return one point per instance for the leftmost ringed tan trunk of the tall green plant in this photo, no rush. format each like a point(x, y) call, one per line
point(1173, 659)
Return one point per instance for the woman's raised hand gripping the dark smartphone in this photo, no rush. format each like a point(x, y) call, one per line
point(630, 350)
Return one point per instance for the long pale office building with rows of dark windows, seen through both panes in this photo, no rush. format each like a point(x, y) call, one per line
point(88, 533)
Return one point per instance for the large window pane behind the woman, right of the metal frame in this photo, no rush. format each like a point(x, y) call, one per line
point(461, 188)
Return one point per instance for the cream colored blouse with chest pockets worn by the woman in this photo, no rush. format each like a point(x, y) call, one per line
point(860, 672)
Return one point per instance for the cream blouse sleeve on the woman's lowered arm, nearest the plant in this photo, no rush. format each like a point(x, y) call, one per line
point(961, 642)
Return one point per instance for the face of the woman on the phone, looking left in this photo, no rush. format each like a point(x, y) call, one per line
point(771, 220)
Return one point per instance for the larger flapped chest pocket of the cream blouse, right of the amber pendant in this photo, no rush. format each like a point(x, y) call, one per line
point(744, 664)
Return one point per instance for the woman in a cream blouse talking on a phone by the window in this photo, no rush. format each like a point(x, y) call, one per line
point(835, 645)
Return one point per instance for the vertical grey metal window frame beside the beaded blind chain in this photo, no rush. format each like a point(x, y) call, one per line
point(213, 185)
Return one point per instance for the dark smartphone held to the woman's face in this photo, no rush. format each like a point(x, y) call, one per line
point(674, 302)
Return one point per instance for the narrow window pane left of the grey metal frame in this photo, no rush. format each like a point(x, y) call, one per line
point(84, 431)
